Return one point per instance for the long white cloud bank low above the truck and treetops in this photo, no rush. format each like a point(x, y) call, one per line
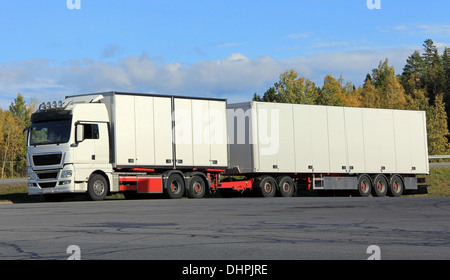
point(236, 77)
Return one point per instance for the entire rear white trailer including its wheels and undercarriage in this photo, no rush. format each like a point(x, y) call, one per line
point(359, 150)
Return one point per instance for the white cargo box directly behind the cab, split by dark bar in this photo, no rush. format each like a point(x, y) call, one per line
point(160, 131)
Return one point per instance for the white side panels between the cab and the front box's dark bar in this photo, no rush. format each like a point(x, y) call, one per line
point(143, 130)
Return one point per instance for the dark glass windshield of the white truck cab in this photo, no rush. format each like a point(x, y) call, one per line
point(50, 132)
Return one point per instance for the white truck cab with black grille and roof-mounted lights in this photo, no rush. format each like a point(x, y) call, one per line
point(68, 147)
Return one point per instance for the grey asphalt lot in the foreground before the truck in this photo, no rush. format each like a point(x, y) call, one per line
point(228, 229)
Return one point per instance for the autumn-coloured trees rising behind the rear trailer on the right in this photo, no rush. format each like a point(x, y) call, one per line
point(423, 85)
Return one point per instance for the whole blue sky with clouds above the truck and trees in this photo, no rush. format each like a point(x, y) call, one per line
point(228, 49)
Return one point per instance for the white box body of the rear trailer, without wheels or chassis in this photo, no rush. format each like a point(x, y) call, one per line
point(294, 138)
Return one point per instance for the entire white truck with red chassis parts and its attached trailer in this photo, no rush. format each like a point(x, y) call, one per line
point(133, 143)
